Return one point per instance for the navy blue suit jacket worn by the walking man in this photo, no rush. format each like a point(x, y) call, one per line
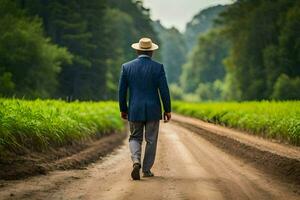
point(146, 81)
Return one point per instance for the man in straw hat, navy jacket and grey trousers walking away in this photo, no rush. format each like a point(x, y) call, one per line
point(146, 81)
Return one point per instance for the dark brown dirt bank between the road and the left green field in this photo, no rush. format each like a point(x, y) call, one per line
point(77, 155)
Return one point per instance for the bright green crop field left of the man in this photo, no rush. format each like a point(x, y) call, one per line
point(42, 123)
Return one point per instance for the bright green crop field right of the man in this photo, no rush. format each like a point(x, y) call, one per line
point(279, 120)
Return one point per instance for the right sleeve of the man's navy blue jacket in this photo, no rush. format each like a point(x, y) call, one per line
point(164, 90)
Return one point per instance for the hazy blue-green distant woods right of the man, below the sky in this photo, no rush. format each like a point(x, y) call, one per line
point(194, 73)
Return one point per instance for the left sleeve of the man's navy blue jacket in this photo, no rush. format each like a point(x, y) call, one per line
point(123, 86)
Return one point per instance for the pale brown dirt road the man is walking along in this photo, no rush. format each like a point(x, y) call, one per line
point(187, 167)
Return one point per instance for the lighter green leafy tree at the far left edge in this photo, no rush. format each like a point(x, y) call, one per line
point(26, 56)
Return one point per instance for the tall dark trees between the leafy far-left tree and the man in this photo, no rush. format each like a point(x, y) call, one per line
point(96, 33)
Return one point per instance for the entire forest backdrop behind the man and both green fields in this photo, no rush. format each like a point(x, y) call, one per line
point(248, 50)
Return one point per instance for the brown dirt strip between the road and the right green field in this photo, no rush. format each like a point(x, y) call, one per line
point(283, 159)
